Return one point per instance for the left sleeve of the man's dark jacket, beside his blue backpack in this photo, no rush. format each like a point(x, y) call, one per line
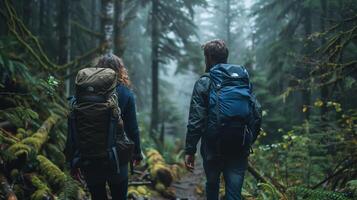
point(198, 115)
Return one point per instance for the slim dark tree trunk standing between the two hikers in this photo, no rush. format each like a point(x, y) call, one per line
point(155, 69)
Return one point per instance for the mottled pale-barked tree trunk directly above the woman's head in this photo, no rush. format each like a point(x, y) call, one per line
point(107, 27)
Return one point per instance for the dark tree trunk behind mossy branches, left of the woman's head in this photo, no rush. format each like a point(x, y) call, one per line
point(64, 32)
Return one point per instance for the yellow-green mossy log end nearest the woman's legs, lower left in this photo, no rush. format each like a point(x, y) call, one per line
point(52, 173)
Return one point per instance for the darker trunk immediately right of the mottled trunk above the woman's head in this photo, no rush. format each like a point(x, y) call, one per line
point(118, 29)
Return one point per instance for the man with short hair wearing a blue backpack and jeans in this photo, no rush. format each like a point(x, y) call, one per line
point(226, 117)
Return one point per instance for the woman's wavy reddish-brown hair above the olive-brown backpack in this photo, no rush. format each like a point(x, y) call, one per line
point(114, 62)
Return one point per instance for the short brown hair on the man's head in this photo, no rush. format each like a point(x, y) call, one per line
point(216, 50)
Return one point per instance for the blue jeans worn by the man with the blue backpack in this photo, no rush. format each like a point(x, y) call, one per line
point(233, 173)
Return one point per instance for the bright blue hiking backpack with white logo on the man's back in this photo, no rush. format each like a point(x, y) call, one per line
point(234, 114)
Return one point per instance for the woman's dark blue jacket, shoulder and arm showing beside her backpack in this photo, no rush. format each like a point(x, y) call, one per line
point(127, 106)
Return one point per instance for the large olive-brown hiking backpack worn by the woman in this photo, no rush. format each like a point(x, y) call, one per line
point(95, 125)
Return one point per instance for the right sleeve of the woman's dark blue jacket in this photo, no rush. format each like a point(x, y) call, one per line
point(131, 125)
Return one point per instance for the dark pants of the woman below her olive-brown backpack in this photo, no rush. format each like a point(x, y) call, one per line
point(97, 178)
